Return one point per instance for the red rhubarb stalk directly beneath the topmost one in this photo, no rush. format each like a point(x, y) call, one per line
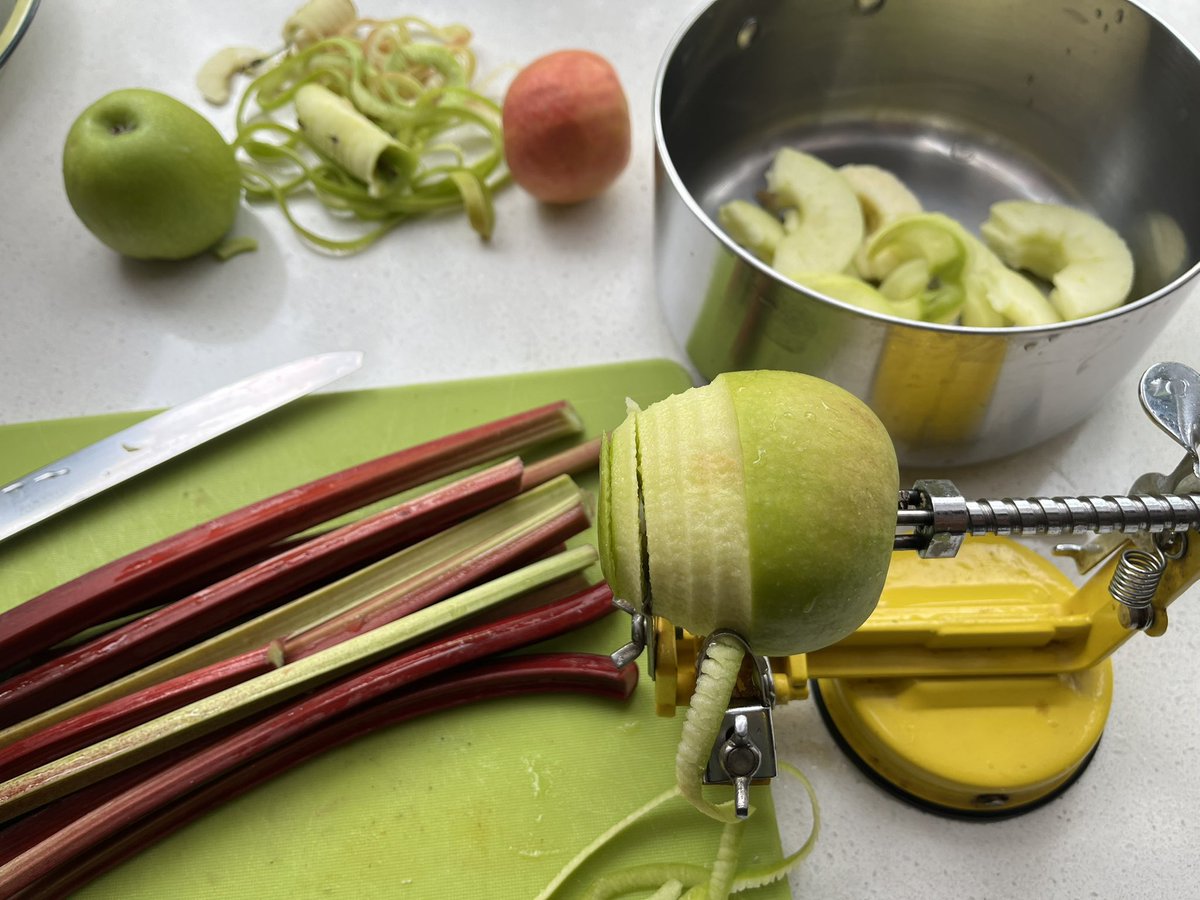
point(272, 581)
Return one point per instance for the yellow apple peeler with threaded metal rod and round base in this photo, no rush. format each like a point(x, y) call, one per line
point(981, 685)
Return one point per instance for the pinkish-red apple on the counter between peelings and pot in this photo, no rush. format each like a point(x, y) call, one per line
point(567, 134)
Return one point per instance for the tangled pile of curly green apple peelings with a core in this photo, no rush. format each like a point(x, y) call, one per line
point(377, 119)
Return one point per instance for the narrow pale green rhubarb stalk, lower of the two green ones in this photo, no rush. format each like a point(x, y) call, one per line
point(112, 755)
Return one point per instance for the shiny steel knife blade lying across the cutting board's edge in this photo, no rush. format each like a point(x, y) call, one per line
point(56, 487)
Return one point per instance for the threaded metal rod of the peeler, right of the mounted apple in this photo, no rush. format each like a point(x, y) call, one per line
point(940, 517)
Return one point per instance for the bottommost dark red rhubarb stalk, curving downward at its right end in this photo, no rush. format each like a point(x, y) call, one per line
point(506, 677)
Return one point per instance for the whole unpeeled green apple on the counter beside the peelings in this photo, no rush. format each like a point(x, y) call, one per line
point(151, 177)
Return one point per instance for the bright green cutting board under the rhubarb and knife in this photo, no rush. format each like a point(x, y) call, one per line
point(488, 801)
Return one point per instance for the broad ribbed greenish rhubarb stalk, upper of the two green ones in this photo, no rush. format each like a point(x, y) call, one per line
point(411, 569)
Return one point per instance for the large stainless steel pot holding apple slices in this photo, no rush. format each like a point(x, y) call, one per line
point(1095, 105)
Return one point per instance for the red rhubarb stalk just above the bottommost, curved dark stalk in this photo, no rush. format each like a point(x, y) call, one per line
point(292, 723)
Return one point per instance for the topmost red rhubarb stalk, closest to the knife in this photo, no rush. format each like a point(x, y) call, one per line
point(155, 574)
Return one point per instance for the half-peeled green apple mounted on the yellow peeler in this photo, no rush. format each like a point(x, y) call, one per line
point(764, 503)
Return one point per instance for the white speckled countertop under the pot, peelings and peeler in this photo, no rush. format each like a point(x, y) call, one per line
point(85, 332)
